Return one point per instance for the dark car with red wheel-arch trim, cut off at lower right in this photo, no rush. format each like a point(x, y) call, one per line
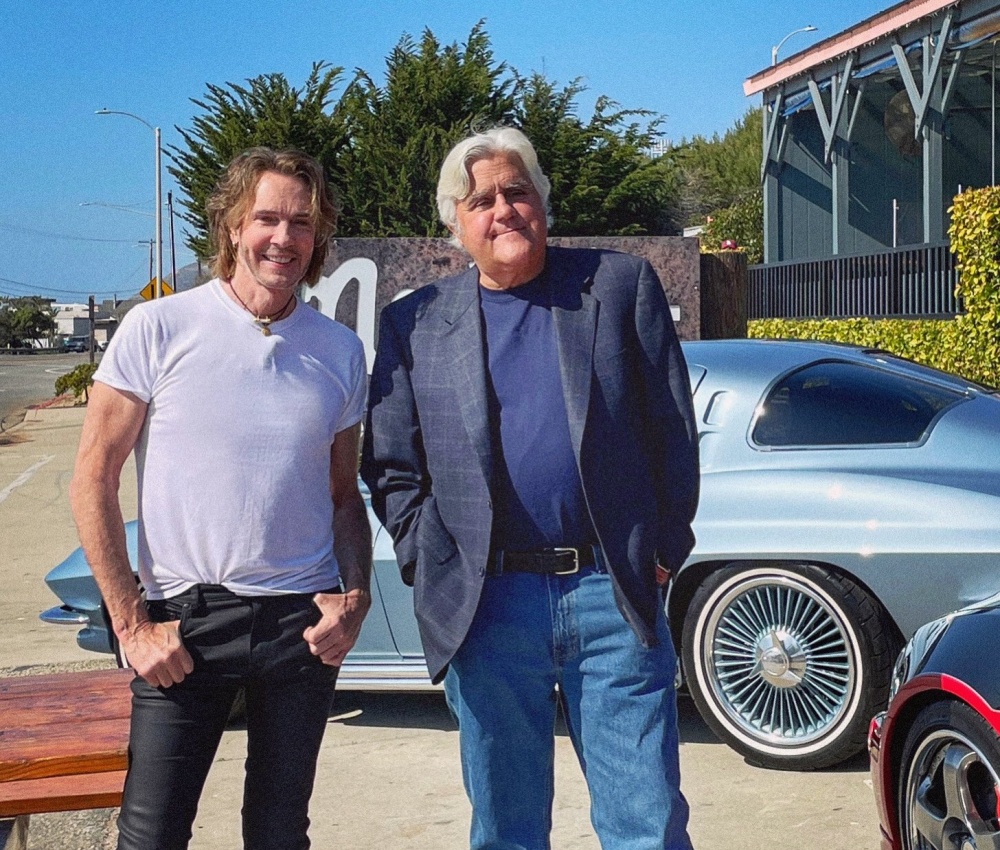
point(935, 753)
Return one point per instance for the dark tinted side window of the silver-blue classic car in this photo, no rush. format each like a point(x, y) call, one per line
point(836, 403)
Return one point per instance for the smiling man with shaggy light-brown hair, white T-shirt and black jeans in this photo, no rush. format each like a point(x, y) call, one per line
point(243, 406)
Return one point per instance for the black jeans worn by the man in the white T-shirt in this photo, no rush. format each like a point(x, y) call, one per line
point(250, 642)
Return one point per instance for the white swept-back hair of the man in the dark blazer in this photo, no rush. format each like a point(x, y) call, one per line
point(454, 183)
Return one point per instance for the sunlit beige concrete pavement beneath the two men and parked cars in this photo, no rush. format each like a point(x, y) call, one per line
point(389, 776)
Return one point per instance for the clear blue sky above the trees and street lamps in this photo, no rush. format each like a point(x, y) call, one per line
point(61, 62)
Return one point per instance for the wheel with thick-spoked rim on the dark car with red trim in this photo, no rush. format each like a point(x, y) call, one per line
point(950, 790)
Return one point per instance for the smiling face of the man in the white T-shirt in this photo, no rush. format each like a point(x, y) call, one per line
point(274, 242)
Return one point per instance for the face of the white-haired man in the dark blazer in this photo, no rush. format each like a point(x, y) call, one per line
point(501, 223)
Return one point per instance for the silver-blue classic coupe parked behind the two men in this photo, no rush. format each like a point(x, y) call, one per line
point(848, 496)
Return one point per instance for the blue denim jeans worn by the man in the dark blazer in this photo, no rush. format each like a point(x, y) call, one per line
point(537, 640)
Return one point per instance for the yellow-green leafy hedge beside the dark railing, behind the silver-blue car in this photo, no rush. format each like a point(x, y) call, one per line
point(968, 345)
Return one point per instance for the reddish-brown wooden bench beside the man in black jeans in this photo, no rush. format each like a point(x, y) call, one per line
point(63, 746)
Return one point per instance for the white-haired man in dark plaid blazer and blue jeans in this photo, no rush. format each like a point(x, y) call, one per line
point(531, 447)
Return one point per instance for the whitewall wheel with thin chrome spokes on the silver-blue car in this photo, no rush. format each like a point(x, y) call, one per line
point(787, 663)
